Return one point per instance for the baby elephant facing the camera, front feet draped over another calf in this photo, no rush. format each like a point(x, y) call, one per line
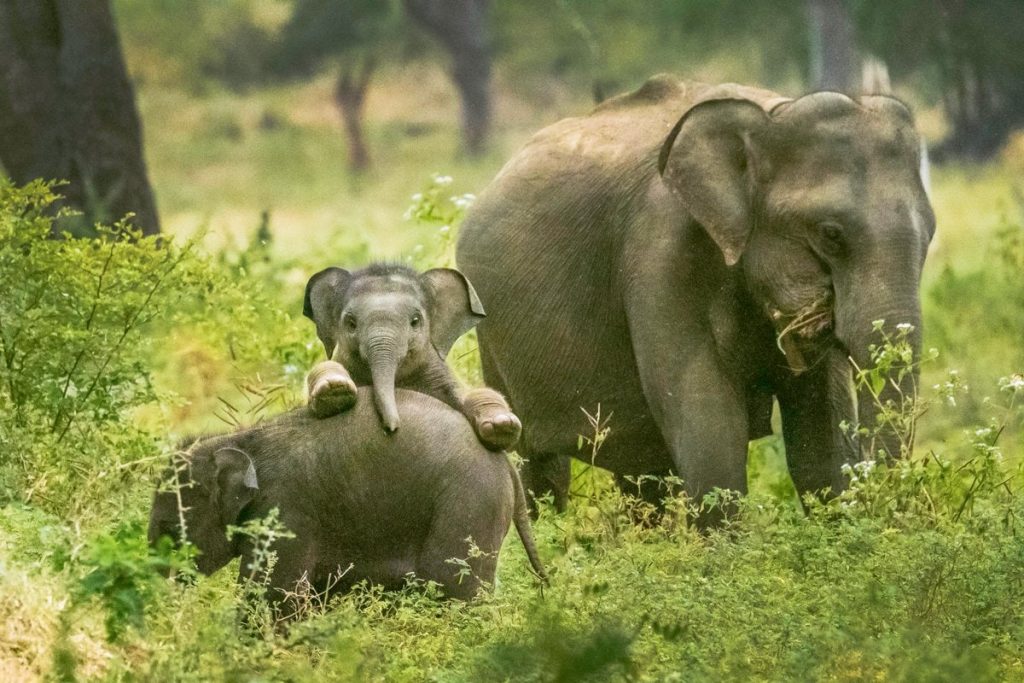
point(389, 327)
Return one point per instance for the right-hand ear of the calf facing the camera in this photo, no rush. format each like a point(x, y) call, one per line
point(454, 308)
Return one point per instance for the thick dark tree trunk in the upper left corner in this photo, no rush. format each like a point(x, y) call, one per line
point(68, 108)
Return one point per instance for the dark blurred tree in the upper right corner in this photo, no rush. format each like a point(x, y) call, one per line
point(969, 52)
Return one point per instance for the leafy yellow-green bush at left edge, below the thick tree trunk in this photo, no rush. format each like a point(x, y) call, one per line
point(74, 359)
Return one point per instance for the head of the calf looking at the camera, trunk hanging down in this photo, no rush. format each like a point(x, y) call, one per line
point(388, 323)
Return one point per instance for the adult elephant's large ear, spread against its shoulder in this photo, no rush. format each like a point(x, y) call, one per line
point(708, 162)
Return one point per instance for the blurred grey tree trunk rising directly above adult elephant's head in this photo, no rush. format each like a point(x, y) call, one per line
point(834, 49)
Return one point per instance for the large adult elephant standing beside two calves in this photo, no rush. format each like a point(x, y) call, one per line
point(655, 257)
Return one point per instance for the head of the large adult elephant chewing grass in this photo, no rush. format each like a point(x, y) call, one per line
point(821, 202)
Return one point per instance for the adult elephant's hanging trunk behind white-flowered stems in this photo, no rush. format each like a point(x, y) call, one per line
point(881, 399)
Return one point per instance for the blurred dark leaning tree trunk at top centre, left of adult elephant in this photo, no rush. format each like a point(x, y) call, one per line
point(462, 27)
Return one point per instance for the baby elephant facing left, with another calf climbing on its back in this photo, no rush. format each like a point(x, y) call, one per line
point(389, 505)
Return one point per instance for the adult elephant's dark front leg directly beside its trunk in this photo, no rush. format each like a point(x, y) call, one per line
point(813, 407)
